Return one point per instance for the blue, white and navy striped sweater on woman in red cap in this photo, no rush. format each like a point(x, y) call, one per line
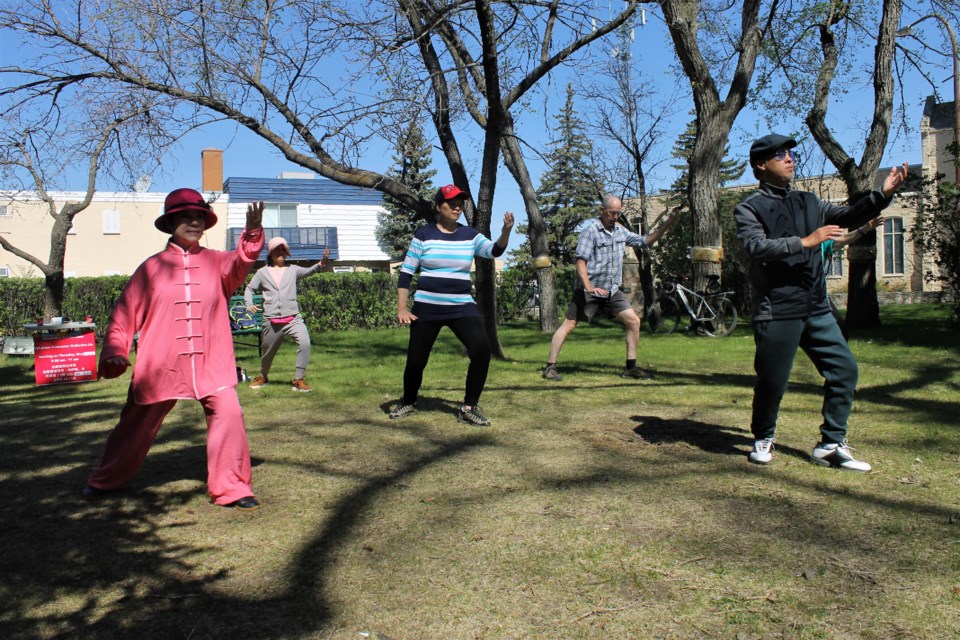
point(444, 260)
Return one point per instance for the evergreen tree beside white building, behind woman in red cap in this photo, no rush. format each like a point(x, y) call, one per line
point(398, 223)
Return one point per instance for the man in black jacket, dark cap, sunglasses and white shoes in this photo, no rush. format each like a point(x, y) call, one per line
point(781, 231)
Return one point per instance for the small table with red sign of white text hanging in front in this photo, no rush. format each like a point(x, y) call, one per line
point(64, 352)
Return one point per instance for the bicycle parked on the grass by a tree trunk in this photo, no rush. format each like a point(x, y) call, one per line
point(709, 312)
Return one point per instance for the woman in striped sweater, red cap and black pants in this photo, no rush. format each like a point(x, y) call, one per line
point(443, 253)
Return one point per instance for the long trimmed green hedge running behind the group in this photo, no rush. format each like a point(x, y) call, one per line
point(328, 301)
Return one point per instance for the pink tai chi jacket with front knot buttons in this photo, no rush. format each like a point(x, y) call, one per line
point(177, 300)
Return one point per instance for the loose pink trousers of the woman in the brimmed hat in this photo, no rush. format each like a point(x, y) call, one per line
point(228, 454)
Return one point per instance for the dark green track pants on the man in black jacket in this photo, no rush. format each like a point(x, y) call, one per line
point(820, 338)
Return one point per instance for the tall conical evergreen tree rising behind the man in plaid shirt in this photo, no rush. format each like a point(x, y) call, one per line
point(568, 193)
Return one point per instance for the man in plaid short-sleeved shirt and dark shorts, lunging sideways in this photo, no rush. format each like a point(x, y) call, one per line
point(599, 277)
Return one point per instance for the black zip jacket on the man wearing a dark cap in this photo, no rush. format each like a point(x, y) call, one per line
point(787, 279)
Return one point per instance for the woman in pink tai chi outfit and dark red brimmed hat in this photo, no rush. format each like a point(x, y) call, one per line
point(177, 301)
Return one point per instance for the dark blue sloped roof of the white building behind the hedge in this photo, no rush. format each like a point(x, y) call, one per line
point(299, 190)
